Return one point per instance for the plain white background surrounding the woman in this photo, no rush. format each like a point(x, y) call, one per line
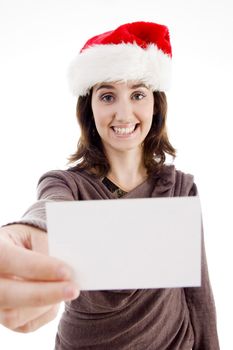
point(38, 130)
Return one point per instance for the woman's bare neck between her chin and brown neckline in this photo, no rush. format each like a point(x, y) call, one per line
point(127, 170)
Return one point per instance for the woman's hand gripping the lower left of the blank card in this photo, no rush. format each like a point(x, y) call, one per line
point(32, 284)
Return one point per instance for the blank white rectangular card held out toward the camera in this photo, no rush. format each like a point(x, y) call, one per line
point(128, 243)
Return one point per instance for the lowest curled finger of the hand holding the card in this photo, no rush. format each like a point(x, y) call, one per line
point(33, 325)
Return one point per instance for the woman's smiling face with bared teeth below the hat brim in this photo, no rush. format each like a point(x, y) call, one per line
point(123, 114)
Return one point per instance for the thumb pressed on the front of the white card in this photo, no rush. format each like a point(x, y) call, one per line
point(31, 265)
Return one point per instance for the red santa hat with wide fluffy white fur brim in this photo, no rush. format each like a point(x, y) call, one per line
point(134, 51)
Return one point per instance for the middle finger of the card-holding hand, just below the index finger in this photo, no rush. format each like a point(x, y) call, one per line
point(15, 318)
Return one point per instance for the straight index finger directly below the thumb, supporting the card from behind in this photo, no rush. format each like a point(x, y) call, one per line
point(30, 294)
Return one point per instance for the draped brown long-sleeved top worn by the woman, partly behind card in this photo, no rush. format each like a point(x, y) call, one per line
point(158, 319)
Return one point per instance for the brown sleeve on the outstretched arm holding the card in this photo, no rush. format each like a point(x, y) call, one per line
point(52, 186)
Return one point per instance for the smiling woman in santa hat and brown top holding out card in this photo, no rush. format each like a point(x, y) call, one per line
point(119, 78)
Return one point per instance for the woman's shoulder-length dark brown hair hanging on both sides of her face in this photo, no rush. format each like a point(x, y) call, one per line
point(90, 153)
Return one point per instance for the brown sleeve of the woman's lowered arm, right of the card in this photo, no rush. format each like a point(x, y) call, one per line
point(201, 306)
